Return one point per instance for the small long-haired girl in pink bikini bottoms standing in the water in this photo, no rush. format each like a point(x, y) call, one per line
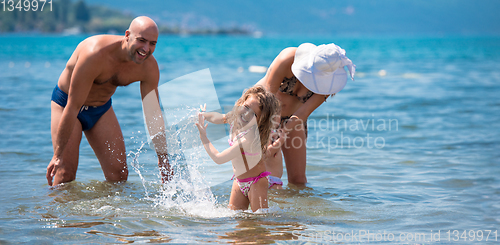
point(251, 123)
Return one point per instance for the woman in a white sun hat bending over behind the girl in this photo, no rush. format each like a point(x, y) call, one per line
point(302, 79)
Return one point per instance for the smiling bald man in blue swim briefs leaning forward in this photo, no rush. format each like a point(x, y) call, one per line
point(81, 101)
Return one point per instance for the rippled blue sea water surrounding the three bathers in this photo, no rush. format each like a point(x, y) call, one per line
point(406, 153)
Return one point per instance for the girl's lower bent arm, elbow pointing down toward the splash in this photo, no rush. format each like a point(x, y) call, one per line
point(218, 157)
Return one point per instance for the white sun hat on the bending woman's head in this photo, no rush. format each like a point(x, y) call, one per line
point(321, 68)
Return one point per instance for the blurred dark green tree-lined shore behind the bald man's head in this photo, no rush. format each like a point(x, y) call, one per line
point(67, 17)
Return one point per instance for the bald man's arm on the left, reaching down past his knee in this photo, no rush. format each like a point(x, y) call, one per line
point(86, 69)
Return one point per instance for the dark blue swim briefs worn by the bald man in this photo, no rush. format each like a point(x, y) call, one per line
point(89, 115)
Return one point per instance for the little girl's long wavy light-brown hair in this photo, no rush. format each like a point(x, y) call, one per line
point(270, 109)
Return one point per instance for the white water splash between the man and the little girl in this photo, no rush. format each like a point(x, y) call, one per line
point(187, 192)
